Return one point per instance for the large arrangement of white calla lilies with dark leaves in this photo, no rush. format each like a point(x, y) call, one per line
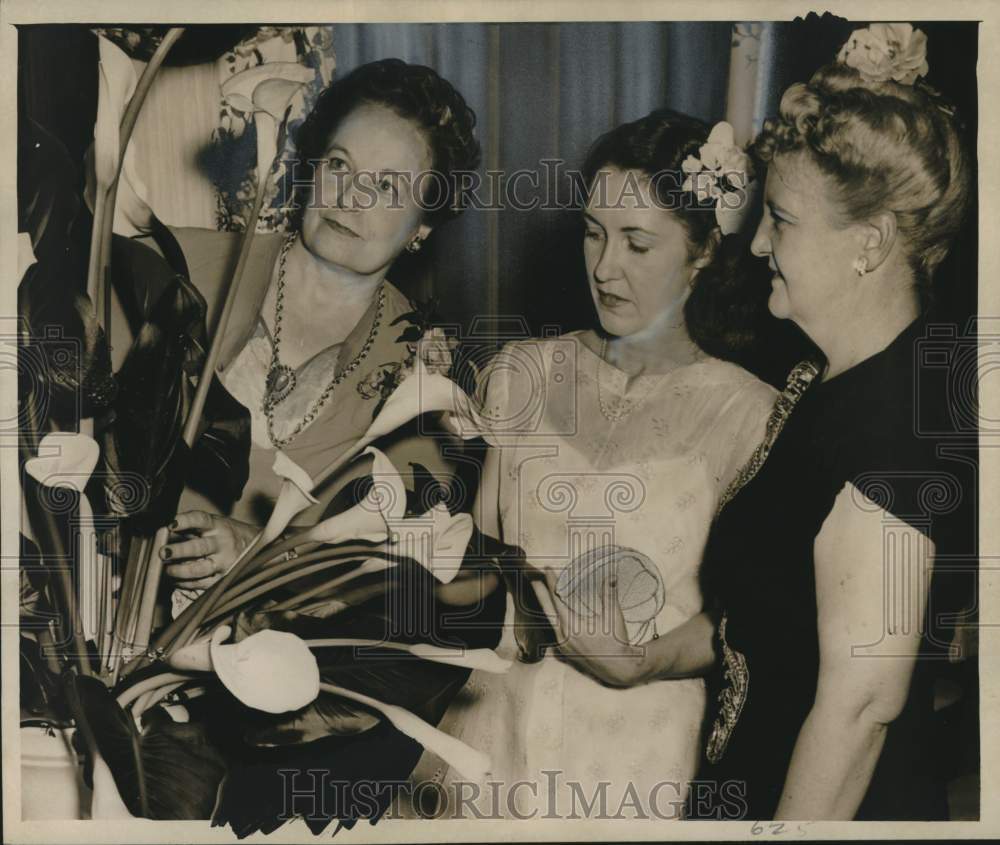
point(291, 632)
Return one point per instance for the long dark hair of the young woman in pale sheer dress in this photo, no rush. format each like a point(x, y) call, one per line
point(722, 314)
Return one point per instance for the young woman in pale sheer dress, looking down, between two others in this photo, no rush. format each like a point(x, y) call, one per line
point(612, 450)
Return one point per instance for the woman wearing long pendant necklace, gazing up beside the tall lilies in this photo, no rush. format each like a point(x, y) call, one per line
point(316, 326)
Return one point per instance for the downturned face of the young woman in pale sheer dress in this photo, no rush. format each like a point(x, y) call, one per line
point(636, 254)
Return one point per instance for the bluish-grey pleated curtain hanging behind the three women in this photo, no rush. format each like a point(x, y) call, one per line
point(544, 93)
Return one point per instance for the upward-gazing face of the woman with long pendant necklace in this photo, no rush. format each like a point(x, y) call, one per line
point(365, 206)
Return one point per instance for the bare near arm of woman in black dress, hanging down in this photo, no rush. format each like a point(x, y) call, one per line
point(866, 655)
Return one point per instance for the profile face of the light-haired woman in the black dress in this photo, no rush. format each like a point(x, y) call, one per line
point(810, 252)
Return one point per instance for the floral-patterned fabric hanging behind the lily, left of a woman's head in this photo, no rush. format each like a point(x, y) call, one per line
point(235, 138)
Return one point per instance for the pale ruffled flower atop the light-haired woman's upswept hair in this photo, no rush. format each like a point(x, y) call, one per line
point(886, 51)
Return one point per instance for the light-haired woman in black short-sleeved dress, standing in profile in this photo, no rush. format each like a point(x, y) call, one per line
point(823, 570)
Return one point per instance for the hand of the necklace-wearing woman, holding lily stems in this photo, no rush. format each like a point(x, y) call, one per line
point(203, 547)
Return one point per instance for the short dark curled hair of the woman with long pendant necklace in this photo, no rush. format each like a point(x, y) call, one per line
point(418, 94)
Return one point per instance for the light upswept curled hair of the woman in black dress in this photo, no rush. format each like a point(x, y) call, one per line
point(883, 146)
